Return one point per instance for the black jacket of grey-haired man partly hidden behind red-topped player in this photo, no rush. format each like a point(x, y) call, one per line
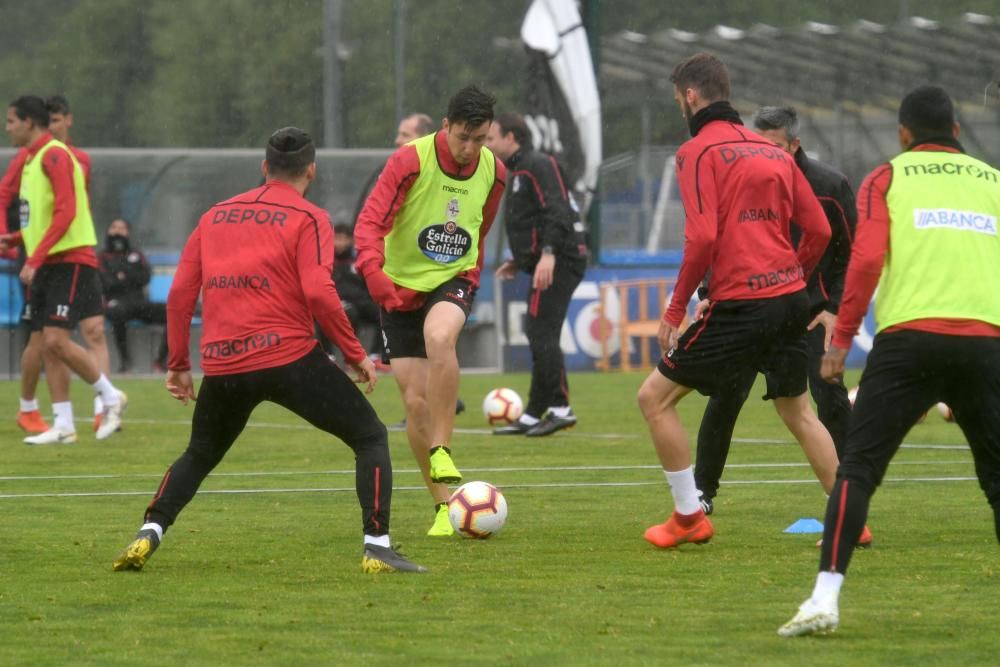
point(826, 285)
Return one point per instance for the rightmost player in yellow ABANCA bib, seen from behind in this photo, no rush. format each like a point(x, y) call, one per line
point(927, 238)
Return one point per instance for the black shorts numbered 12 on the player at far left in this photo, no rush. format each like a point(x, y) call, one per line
point(63, 294)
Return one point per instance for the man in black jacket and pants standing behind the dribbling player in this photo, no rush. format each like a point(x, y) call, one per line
point(547, 241)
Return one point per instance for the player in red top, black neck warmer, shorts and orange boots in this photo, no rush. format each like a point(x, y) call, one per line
point(740, 193)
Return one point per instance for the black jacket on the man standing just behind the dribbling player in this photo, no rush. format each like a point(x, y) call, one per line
point(539, 211)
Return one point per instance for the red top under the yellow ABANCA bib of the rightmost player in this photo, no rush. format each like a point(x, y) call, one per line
point(868, 257)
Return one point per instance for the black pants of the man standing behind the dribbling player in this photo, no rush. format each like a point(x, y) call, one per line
point(543, 326)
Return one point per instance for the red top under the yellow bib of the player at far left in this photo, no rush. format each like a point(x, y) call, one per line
point(59, 168)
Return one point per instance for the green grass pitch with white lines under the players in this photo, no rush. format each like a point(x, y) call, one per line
point(263, 567)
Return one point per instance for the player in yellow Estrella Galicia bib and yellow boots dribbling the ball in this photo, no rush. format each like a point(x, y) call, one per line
point(420, 248)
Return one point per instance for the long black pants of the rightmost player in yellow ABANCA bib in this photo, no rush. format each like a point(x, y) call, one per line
point(908, 372)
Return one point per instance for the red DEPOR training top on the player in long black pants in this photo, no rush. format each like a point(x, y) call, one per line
point(262, 262)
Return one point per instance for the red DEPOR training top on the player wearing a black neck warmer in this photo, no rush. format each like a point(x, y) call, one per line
point(740, 194)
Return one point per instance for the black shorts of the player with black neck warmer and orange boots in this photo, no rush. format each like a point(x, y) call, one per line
point(766, 335)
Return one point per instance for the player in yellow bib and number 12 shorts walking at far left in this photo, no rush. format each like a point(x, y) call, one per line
point(61, 268)
